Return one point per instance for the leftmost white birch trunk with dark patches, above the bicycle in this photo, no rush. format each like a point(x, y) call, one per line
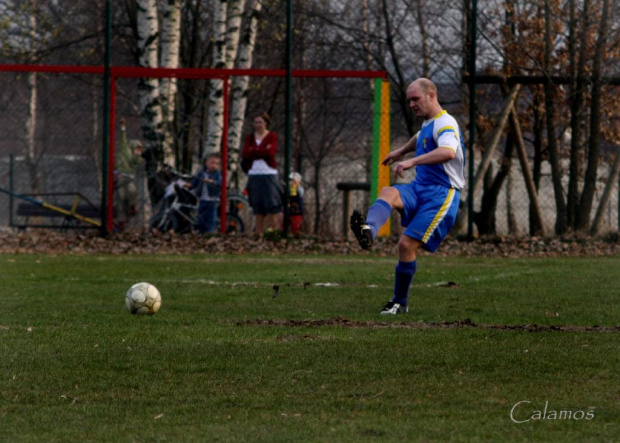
point(148, 90)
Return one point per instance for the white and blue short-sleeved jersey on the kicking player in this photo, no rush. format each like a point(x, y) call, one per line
point(441, 131)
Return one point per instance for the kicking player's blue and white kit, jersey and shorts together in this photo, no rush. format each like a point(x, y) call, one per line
point(431, 201)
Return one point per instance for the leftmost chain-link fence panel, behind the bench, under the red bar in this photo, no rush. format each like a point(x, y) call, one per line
point(50, 143)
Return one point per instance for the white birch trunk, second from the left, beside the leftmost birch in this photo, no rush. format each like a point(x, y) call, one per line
point(170, 45)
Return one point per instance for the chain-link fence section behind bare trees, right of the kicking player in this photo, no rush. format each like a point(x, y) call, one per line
point(505, 183)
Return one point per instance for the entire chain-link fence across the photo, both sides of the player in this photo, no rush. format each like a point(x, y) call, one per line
point(51, 125)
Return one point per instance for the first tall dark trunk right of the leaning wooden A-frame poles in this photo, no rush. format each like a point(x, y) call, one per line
point(554, 158)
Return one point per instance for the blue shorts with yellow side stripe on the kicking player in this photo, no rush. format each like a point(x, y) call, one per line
point(429, 212)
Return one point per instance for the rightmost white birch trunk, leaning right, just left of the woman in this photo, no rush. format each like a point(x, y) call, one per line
point(240, 84)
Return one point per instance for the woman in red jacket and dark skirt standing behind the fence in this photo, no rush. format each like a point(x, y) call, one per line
point(258, 160)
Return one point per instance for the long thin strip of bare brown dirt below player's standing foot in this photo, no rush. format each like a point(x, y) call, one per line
point(461, 324)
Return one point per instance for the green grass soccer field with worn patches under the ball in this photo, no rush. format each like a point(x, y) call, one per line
point(229, 357)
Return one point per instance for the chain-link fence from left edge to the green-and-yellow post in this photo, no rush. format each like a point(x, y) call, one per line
point(331, 135)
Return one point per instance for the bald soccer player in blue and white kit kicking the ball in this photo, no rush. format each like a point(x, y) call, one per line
point(429, 204)
